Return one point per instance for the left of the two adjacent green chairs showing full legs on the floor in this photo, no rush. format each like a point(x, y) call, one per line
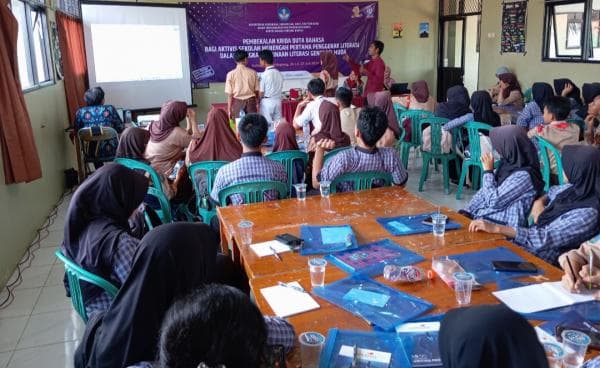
point(436, 152)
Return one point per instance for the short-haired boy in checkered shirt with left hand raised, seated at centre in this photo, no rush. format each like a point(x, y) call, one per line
point(365, 156)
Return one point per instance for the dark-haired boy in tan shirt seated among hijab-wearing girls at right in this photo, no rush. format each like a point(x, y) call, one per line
point(555, 129)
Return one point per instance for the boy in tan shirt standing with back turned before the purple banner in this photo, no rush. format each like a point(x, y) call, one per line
point(241, 87)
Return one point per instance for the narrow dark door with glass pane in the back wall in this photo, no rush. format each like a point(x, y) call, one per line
point(451, 69)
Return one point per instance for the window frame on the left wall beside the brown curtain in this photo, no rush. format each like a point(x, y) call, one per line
point(46, 50)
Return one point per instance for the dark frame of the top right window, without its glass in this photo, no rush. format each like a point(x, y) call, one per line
point(550, 34)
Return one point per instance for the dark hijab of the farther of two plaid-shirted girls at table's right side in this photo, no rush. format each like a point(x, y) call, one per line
point(518, 154)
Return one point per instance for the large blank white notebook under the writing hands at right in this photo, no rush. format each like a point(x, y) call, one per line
point(540, 297)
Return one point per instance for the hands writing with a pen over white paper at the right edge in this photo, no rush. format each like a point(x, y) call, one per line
point(579, 260)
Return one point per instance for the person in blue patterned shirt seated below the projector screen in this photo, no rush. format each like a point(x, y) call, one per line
point(97, 114)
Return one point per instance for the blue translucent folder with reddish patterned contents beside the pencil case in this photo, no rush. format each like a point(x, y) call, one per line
point(371, 258)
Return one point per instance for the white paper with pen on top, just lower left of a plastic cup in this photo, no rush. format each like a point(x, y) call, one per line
point(286, 301)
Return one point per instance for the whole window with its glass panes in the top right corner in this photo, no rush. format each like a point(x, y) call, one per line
point(572, 31)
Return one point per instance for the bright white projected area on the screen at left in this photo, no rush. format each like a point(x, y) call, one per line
point(136, 52)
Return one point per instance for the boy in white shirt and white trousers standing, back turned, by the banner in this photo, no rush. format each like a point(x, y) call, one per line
point(271, 87)
